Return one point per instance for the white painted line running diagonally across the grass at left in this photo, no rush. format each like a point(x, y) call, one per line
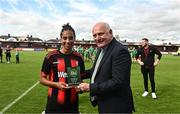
point(17, 99)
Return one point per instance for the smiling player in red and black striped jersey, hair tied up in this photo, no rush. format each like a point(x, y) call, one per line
point(61, 98)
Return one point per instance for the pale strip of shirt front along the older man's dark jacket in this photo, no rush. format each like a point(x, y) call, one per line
point(97, 65)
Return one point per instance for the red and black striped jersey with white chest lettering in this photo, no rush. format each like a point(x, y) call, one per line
point(55, 66)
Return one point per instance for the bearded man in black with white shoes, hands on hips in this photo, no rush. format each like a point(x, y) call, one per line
point(146, 58)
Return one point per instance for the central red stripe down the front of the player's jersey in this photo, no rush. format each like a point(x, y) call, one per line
point(61, 93)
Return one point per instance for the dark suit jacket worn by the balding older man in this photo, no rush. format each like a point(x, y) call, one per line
point(111, 86)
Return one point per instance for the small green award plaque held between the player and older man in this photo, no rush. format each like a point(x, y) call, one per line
point(73, 76)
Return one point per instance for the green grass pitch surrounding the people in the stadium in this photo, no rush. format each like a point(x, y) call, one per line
point(15, 79)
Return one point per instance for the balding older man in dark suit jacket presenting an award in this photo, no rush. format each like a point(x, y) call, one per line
point(110, 81)
